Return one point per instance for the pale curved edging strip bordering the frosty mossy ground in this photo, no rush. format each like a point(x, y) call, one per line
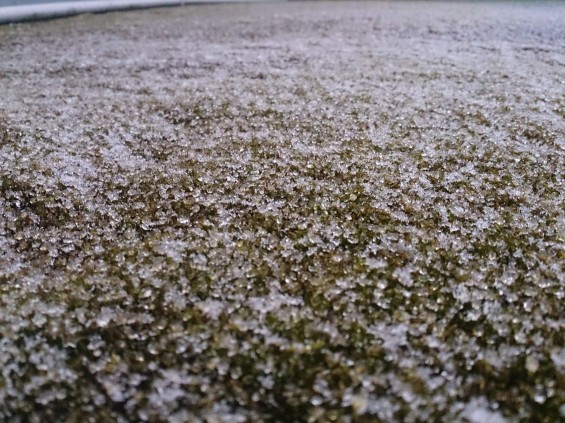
point(33, 12)
